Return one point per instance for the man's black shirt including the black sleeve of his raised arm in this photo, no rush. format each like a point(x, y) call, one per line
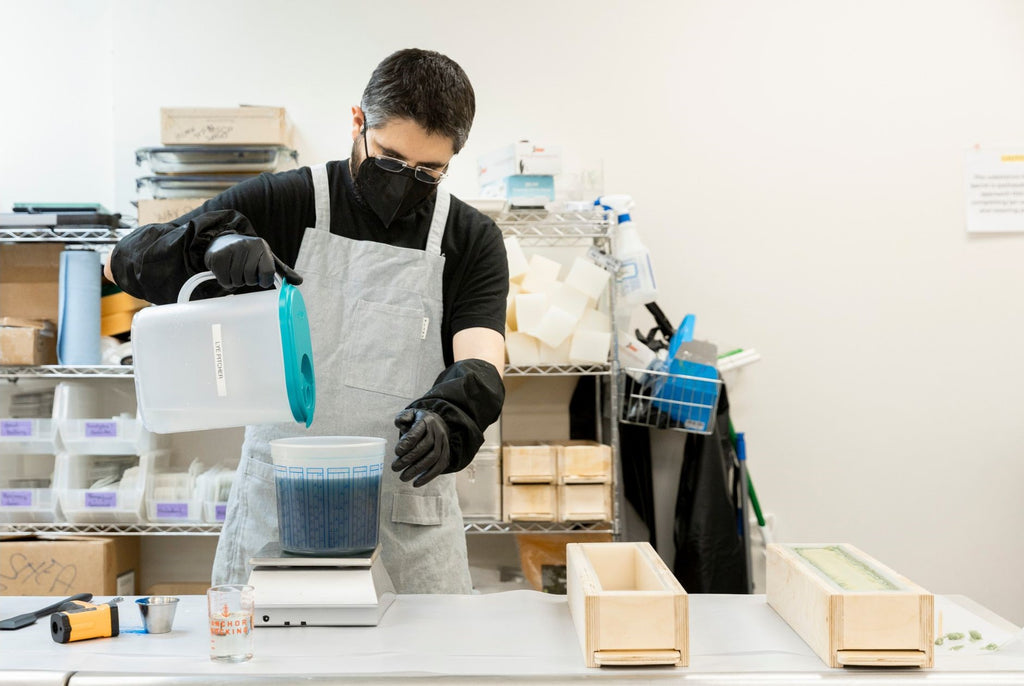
point(154, 262)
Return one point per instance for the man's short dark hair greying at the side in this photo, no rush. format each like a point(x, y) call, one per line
point(425, 87)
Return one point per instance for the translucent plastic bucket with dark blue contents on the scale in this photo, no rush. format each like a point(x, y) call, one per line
point(328, 494)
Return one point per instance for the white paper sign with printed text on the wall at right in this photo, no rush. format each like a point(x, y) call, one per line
point(995, 182)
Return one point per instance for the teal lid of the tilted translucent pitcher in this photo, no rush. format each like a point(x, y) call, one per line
point(298, 352)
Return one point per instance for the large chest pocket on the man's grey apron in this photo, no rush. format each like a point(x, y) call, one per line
point(385, 356)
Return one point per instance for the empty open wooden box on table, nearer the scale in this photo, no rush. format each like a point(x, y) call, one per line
point(627, 607)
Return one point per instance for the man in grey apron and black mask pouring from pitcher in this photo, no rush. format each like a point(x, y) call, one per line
point(406, 289)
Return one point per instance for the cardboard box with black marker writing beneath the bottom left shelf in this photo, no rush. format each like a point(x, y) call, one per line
point(69, 565)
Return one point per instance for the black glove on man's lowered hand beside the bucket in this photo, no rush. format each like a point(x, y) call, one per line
point(423, 451)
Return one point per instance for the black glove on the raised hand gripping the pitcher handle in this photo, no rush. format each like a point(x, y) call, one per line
point(246, 261)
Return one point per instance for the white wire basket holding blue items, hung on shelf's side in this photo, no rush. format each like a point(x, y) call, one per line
point(667, 401)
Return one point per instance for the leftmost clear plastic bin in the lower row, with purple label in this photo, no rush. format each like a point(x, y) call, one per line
point(27, 493)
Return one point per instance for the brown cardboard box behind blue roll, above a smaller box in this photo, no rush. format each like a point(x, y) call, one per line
point(29, 278)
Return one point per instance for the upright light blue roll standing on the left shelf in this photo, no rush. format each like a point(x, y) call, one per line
point(78, 314)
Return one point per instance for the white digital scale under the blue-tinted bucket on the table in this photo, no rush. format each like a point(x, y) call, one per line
point(303, 591)
